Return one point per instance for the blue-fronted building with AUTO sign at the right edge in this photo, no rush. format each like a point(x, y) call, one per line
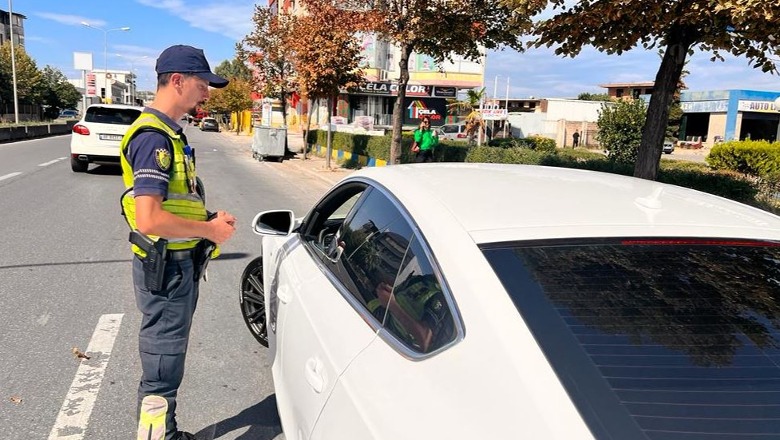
point(717, 115)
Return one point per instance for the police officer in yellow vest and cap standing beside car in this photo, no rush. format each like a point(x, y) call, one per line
point(162, 201)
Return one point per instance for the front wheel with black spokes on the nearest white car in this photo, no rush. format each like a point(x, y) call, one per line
point(253, 300)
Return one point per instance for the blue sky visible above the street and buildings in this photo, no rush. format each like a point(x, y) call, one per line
point(53, 33)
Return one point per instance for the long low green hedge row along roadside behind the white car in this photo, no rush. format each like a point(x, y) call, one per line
point(757, 160)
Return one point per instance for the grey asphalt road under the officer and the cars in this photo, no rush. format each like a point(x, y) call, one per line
point(65, 282)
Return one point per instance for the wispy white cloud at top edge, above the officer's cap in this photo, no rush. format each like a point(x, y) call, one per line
point(231, 19)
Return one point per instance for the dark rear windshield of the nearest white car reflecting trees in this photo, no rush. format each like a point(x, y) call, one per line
point(656, 339)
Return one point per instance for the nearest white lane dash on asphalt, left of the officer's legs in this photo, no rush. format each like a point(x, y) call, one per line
point(72, 420)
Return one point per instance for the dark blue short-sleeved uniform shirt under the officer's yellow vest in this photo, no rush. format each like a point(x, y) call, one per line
point(150, 176)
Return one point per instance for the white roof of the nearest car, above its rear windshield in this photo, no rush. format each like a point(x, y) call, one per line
point(498, 202)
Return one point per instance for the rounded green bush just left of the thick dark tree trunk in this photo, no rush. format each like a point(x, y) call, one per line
point(620, 129)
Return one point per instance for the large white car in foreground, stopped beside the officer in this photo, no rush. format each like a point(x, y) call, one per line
point(483, 301)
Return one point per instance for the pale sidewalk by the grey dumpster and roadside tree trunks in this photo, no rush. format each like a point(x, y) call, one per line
point(313, 165)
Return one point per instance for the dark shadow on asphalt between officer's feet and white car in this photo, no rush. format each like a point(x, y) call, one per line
point(262, 420)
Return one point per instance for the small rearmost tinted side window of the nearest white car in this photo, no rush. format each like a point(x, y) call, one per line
point(418, 313)
